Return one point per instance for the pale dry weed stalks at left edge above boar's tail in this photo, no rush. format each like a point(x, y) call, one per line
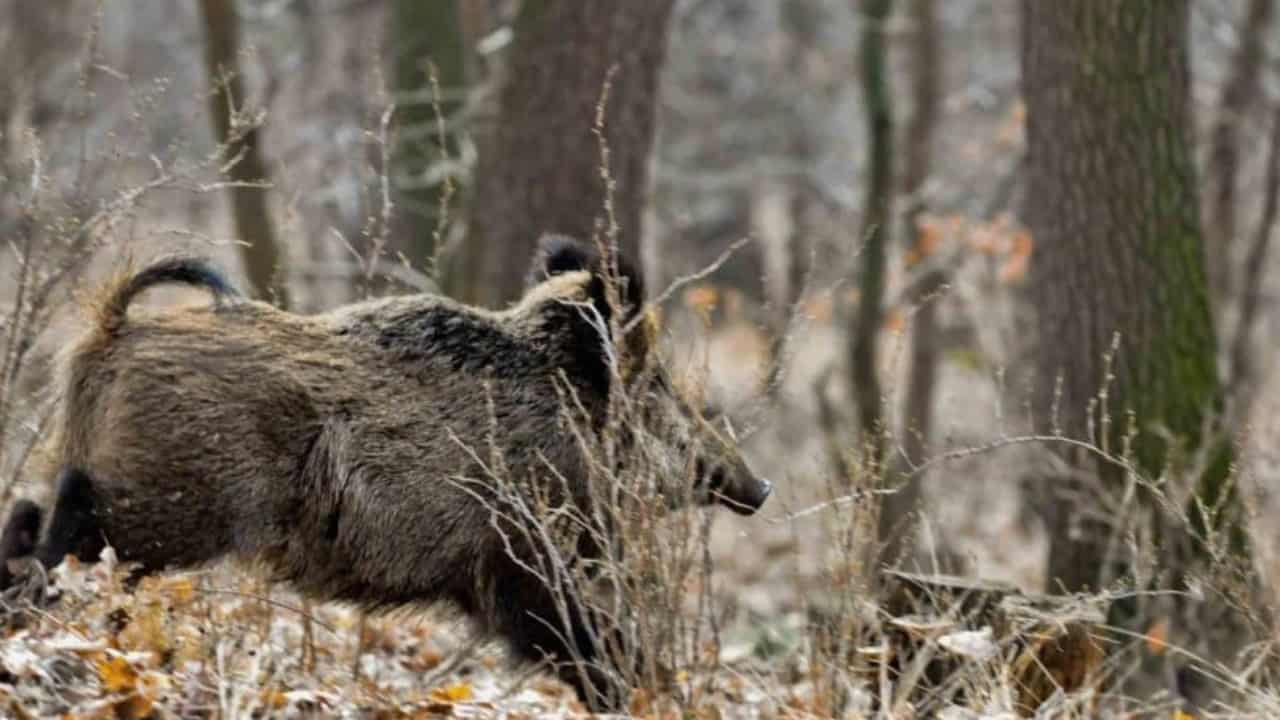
point(61, 224)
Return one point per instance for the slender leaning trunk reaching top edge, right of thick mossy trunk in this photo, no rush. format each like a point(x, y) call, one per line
point(1241, 89)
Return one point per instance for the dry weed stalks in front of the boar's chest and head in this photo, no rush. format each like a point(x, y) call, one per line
point(615, 553)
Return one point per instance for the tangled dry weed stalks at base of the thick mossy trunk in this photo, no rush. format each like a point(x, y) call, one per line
point(1213, 622)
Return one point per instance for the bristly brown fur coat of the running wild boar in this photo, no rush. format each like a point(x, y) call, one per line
point(341, 452)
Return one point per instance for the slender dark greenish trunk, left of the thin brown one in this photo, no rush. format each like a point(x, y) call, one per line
point(877, 216)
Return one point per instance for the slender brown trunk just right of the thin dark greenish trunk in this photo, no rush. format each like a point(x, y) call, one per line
point(924, 361)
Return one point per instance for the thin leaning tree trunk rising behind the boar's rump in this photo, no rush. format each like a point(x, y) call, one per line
point(260, 253)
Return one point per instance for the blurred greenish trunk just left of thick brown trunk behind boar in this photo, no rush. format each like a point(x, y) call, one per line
point(422, 34)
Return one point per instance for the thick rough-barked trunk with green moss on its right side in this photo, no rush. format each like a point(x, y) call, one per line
point(1112, 202)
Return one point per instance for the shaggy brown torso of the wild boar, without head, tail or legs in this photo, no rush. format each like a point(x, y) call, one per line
point(342, 450)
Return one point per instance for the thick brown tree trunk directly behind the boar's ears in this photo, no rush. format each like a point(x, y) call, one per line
point(542, 171)
